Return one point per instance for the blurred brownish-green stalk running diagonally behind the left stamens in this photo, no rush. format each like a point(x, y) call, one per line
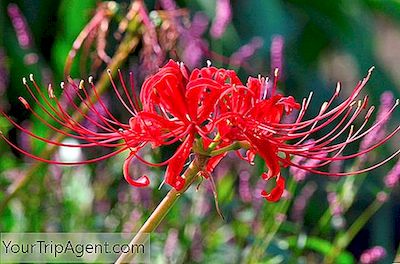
point(128, 44)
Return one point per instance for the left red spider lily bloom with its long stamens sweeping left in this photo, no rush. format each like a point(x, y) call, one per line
point(174, 106)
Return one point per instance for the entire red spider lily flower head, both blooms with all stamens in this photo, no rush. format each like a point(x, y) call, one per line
point(211, 105)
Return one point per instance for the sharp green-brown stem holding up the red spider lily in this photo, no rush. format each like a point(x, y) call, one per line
point(163, 208)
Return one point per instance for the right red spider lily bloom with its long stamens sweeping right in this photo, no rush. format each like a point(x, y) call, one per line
point(250, 114)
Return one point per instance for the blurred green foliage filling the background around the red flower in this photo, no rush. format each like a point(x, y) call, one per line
point(324, 40)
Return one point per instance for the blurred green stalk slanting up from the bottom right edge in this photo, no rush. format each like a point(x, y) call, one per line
point(342, 240)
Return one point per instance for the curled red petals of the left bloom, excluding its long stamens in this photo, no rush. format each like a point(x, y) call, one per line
point(187, 102)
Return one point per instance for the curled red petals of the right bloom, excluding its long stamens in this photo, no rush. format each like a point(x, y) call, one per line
point(243, 108)
